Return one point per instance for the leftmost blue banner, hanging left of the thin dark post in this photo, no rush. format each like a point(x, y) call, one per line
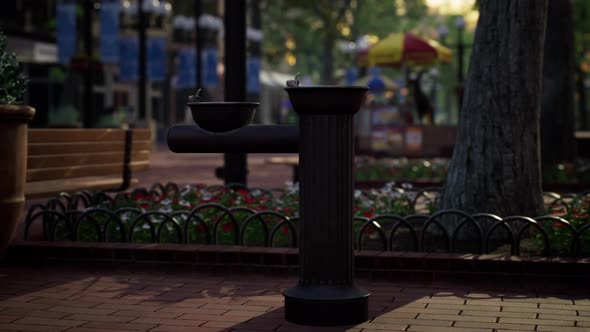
point(66, 31)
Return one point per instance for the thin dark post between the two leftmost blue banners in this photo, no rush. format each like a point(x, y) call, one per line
point(88, 116)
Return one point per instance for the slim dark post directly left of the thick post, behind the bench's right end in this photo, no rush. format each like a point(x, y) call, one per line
point(141, 82)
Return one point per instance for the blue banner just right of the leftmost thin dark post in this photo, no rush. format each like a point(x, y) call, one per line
point(109, 31)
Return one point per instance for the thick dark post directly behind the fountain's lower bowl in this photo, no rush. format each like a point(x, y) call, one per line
point(235, 164)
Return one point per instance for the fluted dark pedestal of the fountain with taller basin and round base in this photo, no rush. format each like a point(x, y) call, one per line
point(326, 293)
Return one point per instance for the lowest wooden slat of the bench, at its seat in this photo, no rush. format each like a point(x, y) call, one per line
point(54, 187)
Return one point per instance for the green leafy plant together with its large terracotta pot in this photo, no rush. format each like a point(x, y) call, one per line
point(14, 119)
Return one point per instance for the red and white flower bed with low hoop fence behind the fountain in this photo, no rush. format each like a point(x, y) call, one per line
point(390, 218)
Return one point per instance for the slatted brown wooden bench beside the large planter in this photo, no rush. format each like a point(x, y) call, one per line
point(70, 160)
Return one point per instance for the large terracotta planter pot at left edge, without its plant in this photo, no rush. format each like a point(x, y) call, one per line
point(13, 167)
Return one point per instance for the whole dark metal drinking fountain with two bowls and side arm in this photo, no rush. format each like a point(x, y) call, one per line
point(326, 294)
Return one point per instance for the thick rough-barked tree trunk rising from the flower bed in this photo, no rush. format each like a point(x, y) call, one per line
point(496, 160)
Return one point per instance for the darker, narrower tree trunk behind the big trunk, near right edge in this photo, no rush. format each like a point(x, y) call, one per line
point(557, 112)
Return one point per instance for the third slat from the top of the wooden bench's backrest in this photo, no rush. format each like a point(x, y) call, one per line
point(80, 159)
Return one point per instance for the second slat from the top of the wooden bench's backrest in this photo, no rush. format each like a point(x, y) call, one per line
point(36, 149)
